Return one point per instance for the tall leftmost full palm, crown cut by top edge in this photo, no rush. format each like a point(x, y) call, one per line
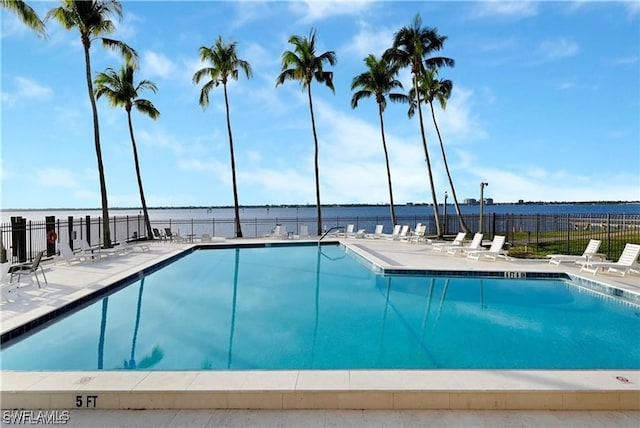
point(92, 19)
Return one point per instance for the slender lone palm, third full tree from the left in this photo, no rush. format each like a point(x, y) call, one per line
point(224, 66)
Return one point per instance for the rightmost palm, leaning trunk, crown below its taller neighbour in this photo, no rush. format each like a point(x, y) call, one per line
point(433, 89)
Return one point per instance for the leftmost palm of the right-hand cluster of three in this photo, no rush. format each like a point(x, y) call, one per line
point(379, 80)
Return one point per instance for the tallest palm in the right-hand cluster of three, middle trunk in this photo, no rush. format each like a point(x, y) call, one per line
point(412, 47)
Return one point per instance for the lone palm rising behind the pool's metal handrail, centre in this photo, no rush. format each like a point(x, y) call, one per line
point(303, 65)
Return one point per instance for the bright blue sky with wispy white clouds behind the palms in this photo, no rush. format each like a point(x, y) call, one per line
point(545, 107)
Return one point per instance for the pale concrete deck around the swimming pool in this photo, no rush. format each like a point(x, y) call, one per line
point(616, 392)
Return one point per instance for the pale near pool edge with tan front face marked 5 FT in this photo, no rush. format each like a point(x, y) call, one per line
point(354, 389)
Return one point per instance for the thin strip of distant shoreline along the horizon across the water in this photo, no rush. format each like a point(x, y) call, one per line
point(323, 205)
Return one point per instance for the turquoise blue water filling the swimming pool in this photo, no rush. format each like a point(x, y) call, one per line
point(301, 308)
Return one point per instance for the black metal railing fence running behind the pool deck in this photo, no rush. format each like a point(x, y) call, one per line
point(21, 240)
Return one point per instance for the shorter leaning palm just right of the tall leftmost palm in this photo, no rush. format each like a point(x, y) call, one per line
point(120, 90)
